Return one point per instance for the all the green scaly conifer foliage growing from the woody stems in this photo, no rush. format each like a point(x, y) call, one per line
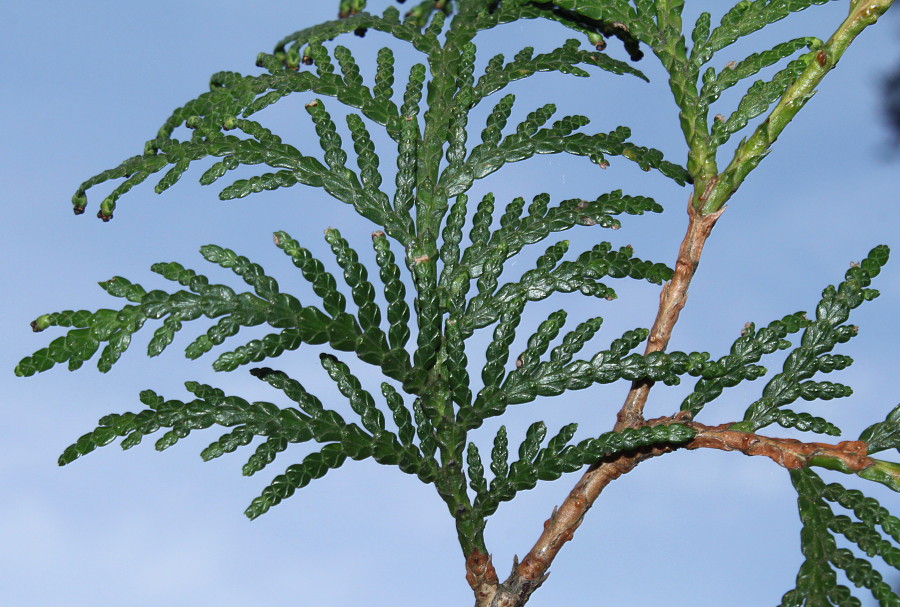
point(449, 282)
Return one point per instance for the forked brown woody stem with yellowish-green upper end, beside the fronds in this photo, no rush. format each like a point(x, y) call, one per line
point(703, 213)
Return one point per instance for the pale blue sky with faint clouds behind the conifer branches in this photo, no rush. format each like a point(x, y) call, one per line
point(86, 83)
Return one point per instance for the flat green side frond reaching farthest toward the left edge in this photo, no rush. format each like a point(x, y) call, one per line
point(266, 305)
